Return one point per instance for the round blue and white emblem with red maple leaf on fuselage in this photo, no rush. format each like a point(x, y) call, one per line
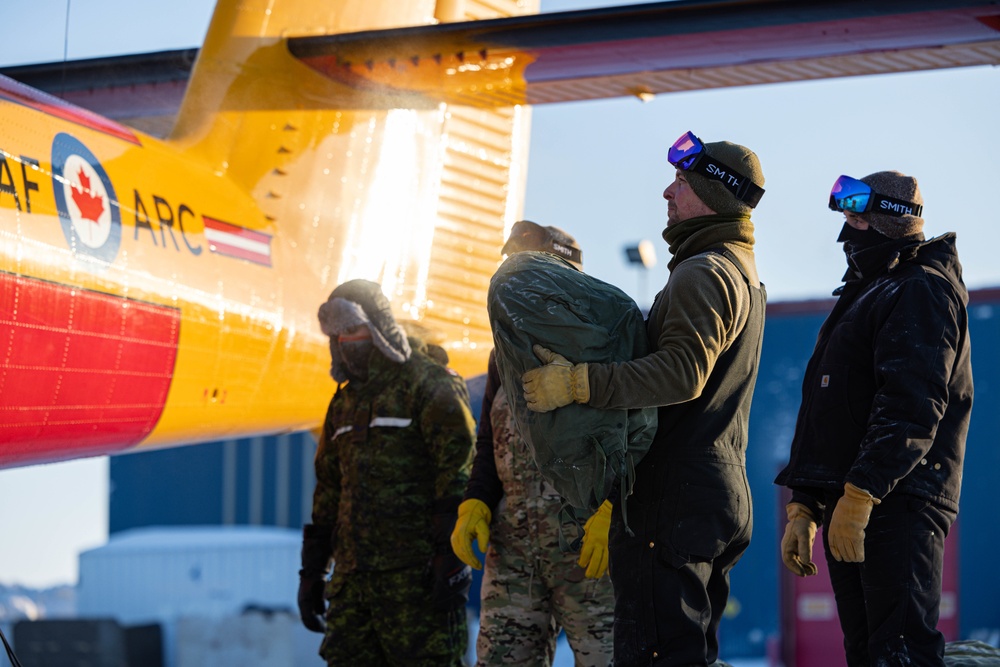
point(88, 207)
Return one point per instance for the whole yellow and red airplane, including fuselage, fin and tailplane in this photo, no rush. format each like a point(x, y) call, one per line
point(156, 293)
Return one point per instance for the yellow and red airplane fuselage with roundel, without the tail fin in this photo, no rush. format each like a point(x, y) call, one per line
point(140, 294)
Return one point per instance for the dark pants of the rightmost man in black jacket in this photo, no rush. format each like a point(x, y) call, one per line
point(888, 605)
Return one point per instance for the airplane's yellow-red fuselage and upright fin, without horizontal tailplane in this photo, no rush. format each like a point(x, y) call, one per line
point(193, 267)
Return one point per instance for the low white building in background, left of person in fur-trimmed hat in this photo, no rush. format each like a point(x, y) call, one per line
point(199, 584)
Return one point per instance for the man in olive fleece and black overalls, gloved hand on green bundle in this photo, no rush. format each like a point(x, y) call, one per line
point(690, 513)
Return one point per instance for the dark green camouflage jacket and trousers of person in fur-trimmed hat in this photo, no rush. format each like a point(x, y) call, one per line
point(392, 448)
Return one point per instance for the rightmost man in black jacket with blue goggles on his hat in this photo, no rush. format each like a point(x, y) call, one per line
point(879, 443)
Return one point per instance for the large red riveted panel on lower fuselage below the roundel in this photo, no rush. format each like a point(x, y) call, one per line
point(81, 373)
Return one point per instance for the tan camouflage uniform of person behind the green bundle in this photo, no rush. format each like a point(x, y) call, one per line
point(532, 587)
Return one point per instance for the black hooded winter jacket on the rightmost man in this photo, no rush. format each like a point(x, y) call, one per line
point(887, 394)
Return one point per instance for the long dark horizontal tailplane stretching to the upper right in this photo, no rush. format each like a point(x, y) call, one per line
point(646, 49)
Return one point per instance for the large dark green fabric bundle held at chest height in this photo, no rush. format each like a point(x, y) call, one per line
point(536, 297)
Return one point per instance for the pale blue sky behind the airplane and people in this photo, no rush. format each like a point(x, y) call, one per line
point(598, 170)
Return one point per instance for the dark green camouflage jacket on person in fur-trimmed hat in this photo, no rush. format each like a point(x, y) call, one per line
point(394, 450)
